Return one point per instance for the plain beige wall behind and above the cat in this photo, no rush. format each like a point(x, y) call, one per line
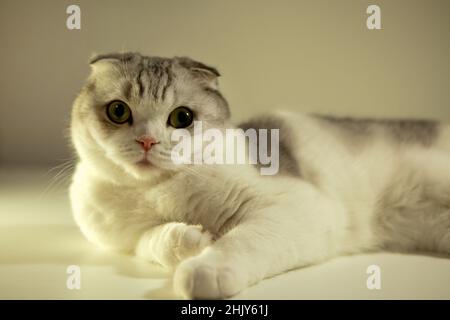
point(314, 56)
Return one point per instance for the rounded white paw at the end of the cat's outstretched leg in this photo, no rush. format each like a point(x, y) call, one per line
point(201, 278)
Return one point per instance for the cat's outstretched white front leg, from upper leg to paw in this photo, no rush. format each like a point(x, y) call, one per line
point(268, 243)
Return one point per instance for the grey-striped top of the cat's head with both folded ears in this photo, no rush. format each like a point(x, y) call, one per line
point(138, 76)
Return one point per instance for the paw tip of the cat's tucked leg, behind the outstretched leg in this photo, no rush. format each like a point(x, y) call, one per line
point(183, 242)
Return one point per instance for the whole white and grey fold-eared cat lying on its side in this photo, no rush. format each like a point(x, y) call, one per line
point(344, 186)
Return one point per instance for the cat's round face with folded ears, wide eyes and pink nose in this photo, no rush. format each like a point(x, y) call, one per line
point(131, 104)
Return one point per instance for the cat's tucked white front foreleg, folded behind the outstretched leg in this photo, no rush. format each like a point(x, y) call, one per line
point(170, 243)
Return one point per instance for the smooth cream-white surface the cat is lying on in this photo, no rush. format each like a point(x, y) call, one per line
point(39, 240)
